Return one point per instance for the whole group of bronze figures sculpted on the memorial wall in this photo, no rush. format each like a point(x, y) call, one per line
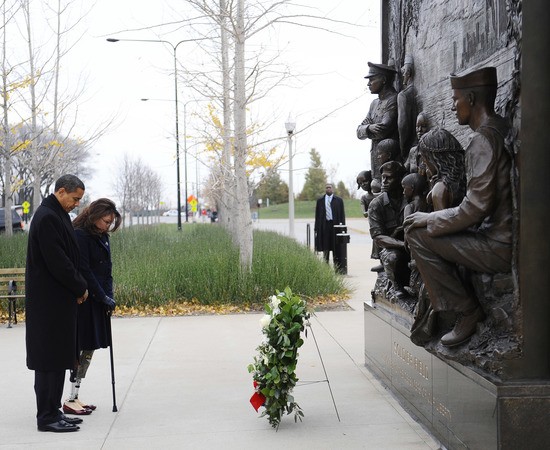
point(442, 225)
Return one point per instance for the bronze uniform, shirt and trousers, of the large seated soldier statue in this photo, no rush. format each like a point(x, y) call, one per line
point(476, 234)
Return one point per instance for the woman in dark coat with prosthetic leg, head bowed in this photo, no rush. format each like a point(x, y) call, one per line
point(92, 228)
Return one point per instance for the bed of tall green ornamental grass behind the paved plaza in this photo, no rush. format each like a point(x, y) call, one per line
point(156, 265)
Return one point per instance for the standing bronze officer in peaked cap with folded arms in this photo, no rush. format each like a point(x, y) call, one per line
point(381, 120)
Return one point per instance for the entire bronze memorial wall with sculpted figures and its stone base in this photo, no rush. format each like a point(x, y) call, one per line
point(456, 324)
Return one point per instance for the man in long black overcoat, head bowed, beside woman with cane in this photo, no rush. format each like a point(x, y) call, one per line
point(54, 287)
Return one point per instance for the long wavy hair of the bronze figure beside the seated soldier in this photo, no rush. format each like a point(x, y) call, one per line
point(440, 148)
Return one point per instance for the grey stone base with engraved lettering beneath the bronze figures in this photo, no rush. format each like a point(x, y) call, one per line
point(463, 408)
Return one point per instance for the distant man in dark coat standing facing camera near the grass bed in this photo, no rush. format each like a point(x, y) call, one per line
point(328, 212)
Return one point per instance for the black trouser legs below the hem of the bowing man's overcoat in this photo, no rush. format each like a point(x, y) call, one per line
point(48, 386)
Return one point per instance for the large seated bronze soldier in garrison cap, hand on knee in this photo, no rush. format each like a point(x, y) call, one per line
point(477, 234)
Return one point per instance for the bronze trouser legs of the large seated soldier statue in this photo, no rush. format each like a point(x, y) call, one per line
point(437, 259)
